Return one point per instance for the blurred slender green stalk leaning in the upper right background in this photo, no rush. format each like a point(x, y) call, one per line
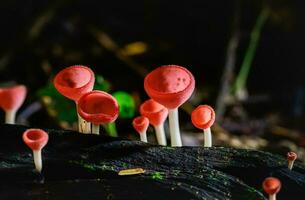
point(242, 77)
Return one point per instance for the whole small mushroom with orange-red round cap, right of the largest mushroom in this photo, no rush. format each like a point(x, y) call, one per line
point(203, 118)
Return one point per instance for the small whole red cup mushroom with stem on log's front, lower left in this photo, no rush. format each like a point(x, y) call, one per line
point(36, 139)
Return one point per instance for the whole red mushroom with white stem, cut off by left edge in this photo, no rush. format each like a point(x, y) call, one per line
point(11, 100)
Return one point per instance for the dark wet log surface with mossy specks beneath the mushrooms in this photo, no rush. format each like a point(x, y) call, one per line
point(79, 166)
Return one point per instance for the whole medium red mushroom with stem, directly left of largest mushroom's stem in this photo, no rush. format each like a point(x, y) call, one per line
point(157, 114)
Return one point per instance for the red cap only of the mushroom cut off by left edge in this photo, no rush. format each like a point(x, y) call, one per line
point(13, 97)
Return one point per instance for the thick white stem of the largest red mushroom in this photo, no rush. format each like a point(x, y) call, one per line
point(174, 127)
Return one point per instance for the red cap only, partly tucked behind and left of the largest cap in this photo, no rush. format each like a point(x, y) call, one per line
point(155, 112)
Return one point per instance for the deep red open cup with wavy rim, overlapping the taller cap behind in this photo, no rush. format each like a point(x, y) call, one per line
point(98, 107)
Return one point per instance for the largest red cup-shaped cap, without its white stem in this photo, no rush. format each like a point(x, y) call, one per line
point(170, 85)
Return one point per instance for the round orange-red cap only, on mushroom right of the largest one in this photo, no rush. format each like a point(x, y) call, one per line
point(203, 117)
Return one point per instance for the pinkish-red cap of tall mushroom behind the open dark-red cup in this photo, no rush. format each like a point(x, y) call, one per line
point(72, 82)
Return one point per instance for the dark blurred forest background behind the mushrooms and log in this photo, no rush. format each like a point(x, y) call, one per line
point(247, 58)
